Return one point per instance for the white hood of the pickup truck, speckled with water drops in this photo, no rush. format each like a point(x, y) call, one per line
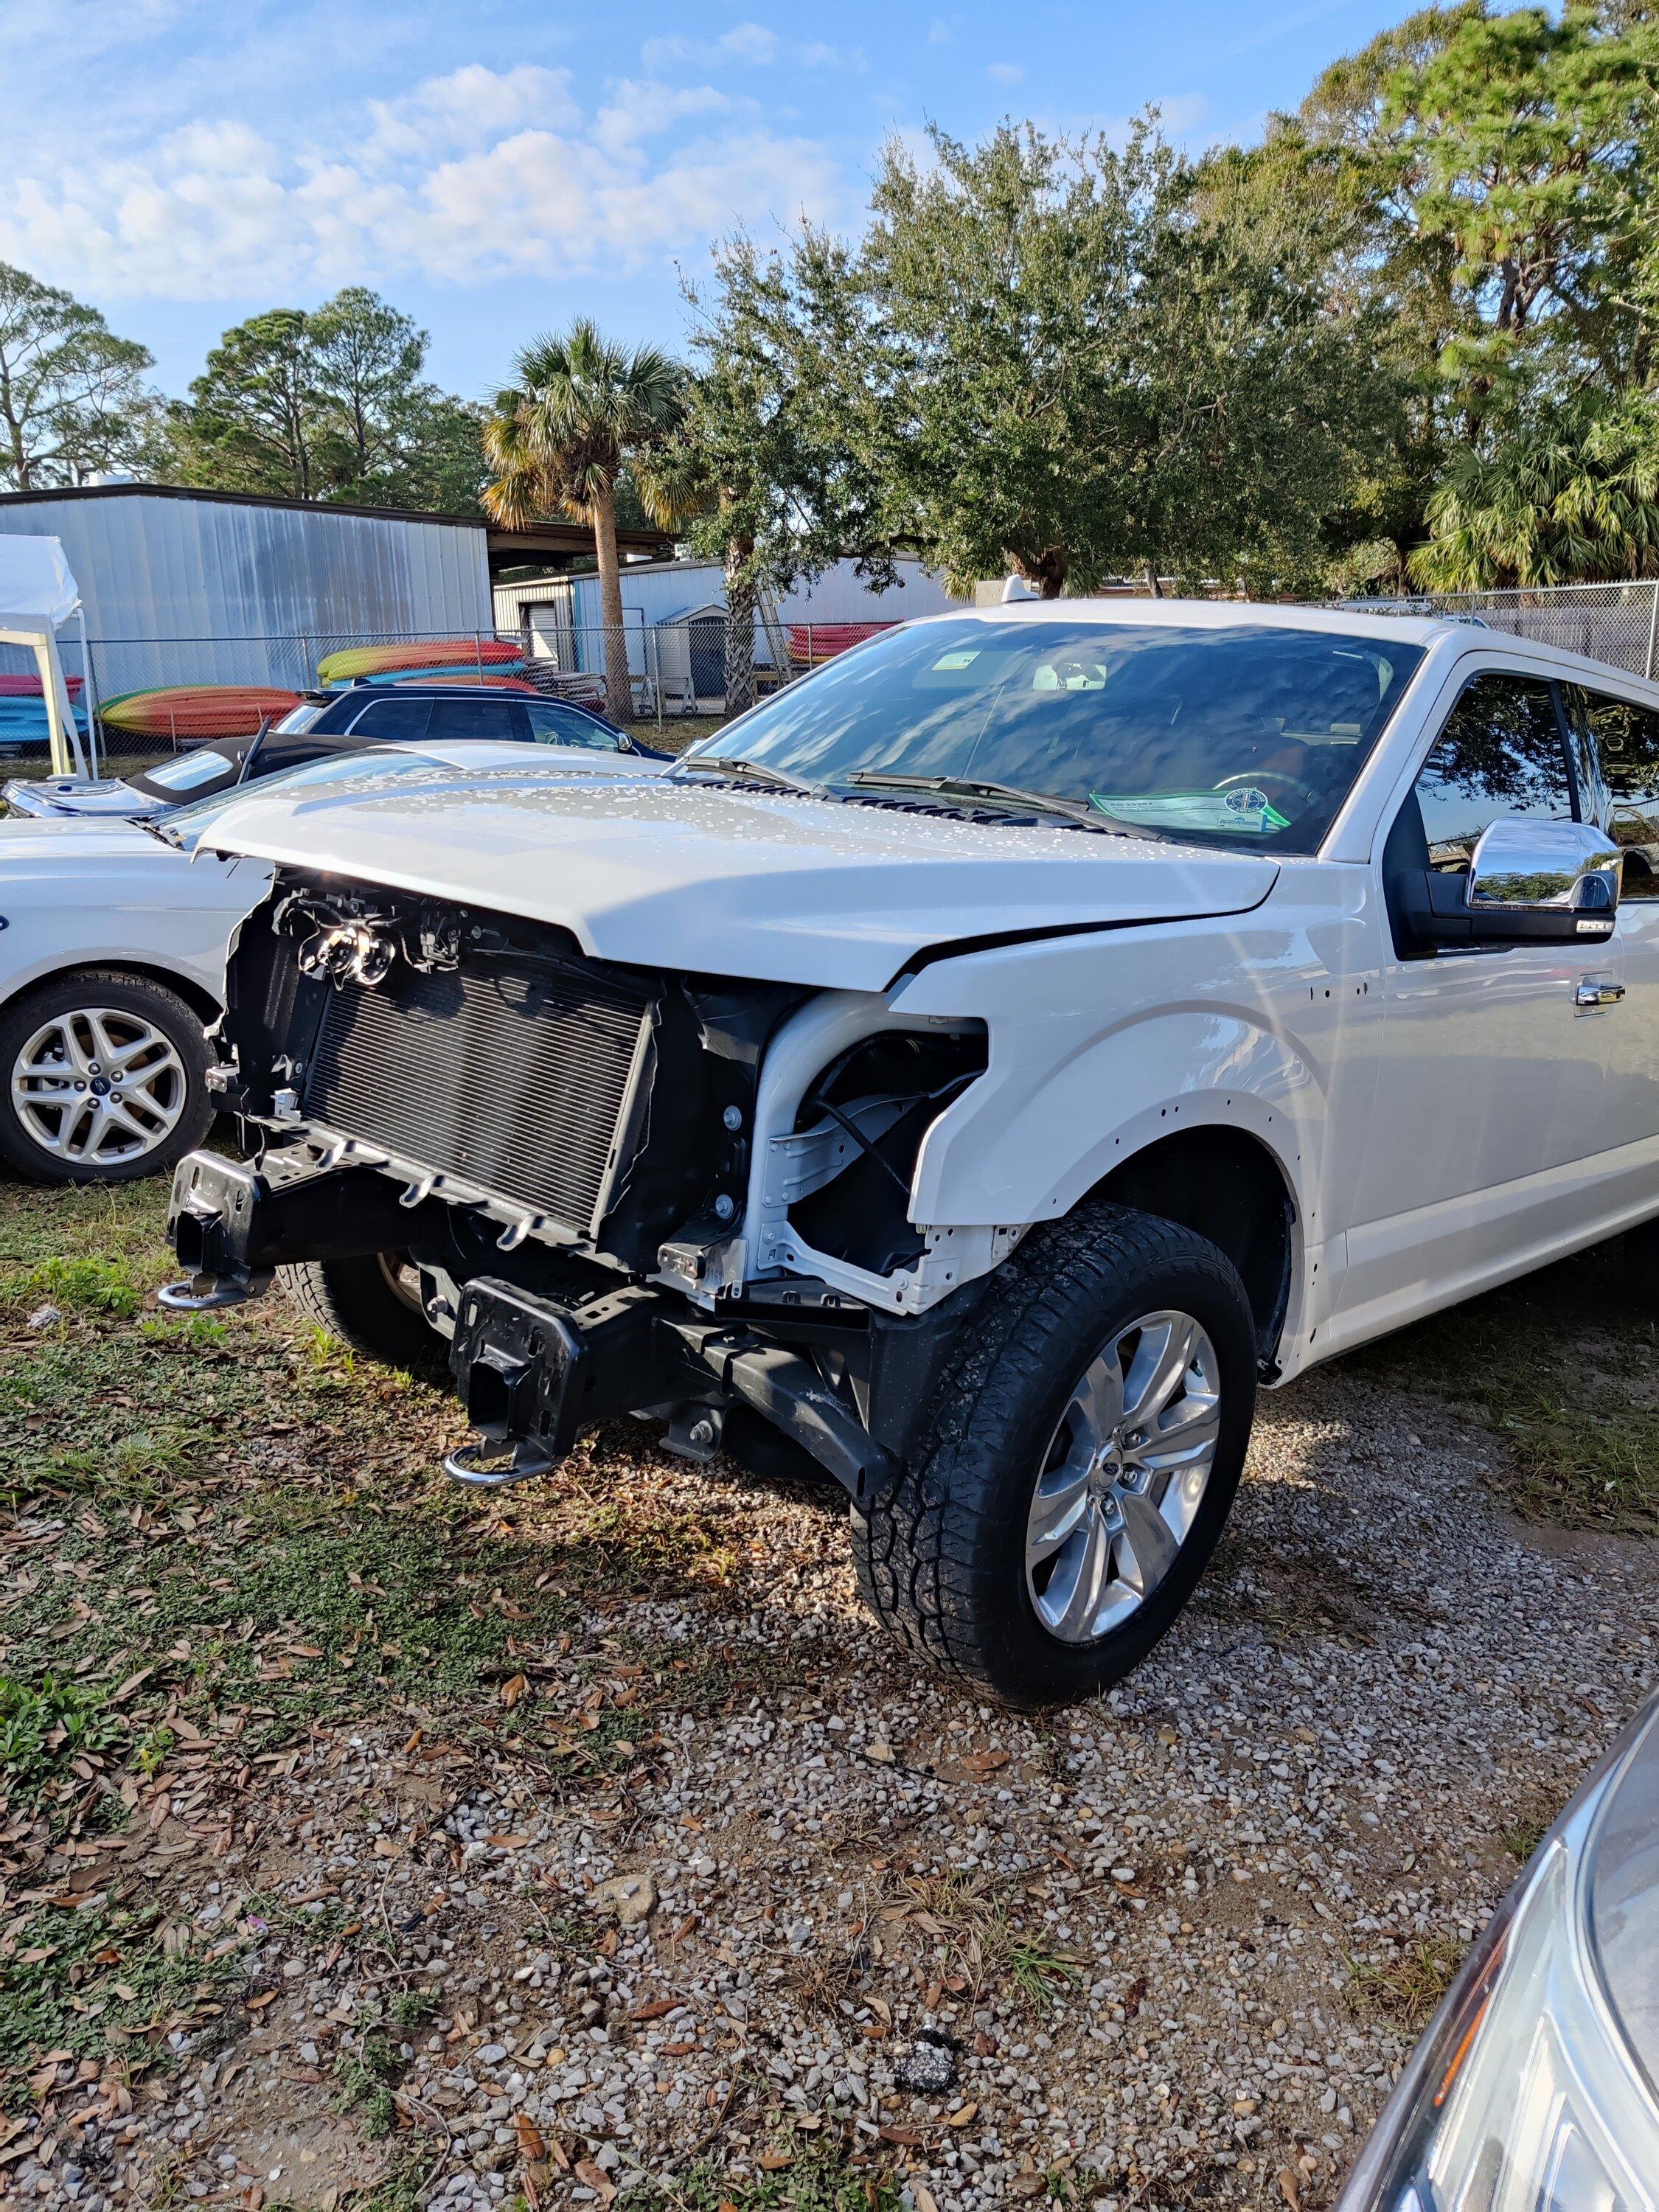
point(733, 881)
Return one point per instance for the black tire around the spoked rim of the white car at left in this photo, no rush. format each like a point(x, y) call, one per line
point(136, 1003)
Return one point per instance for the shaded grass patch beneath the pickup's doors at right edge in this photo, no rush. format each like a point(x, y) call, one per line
point(1563, 1368)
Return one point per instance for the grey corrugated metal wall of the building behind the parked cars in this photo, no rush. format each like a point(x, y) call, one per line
point(213, 592)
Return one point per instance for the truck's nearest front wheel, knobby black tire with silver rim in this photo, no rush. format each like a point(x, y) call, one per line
point(1081, 1468)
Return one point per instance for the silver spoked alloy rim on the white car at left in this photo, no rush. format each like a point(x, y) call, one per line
point(98, 1087)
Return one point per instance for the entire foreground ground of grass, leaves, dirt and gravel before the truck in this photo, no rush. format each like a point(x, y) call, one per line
point(317, 1777)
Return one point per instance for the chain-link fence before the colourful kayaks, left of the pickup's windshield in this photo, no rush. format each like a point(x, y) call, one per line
point(147, 698)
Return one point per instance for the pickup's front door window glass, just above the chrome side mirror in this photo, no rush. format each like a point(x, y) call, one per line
point(1501, 753)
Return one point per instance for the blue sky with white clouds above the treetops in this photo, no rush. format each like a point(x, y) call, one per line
point(497, 169)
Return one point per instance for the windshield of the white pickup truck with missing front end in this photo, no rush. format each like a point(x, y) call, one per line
point(1242, 738)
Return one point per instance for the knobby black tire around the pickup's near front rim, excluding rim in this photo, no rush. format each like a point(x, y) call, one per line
point(943, 1554)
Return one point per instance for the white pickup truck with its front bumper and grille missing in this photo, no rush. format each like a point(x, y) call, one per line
point(970, 1074)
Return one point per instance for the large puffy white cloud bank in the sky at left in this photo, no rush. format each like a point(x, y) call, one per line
point(466, 176)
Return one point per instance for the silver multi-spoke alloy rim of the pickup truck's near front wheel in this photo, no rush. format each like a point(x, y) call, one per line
point(1125, 1477)
